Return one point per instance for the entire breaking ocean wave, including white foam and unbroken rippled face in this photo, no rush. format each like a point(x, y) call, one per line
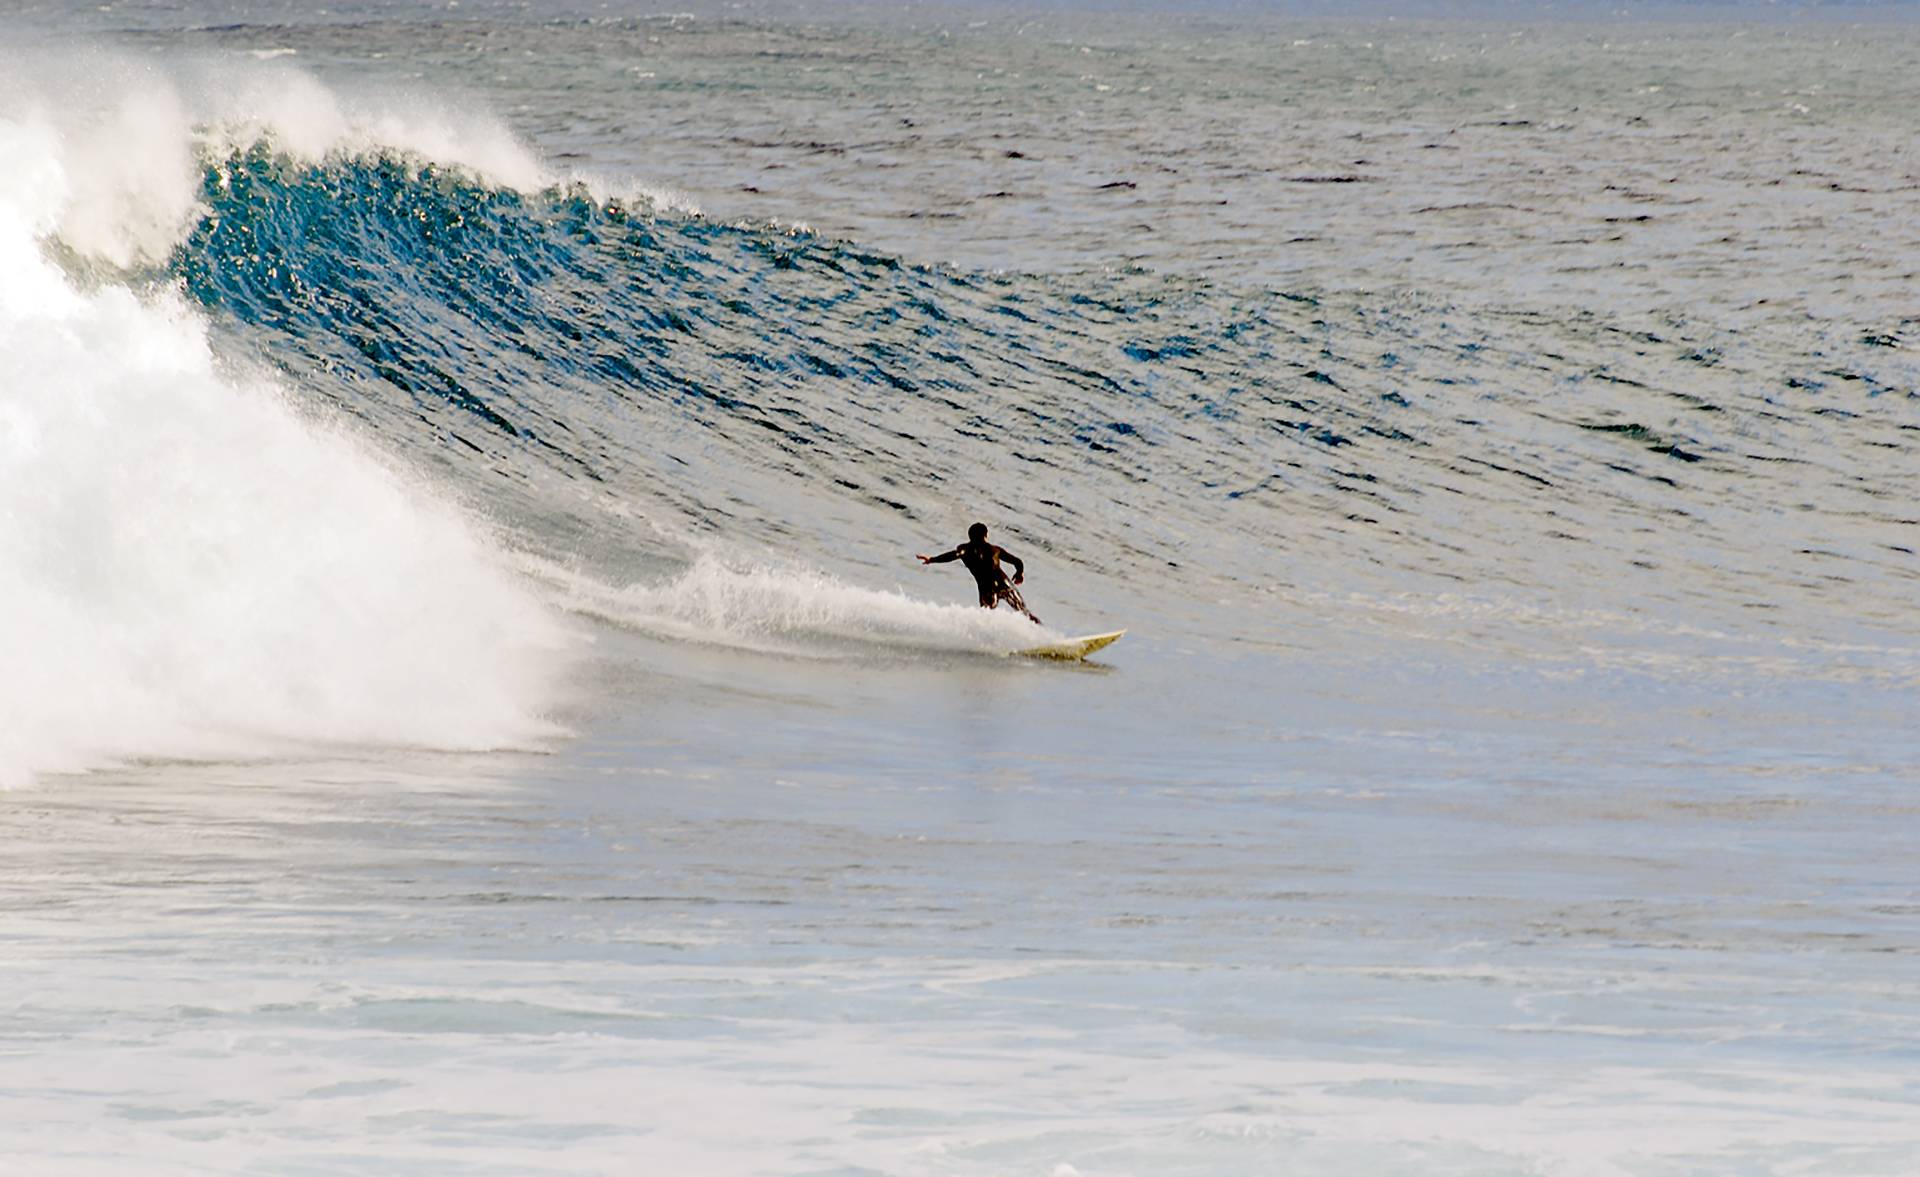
point(475, 354)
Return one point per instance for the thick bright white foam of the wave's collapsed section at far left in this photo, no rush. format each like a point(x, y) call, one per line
point(189, 567)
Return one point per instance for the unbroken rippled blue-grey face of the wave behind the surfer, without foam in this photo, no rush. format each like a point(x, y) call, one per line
point(1385, 462)
